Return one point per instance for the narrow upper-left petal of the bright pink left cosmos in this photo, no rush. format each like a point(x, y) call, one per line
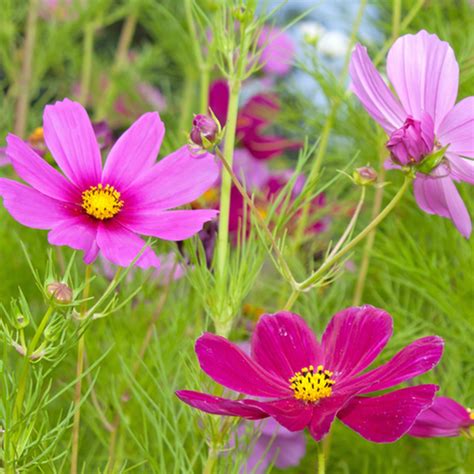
point(38, 173)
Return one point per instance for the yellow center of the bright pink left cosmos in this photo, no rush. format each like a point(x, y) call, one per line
point(102, 202)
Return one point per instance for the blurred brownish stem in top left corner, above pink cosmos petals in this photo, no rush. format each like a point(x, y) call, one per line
point(23, 102)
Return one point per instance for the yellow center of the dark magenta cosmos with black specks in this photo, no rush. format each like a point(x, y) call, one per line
point(310, 385)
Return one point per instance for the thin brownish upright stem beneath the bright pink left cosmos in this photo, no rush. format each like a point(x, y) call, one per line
point(78, 386)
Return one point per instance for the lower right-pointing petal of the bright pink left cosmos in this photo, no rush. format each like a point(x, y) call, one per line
point(168, 225)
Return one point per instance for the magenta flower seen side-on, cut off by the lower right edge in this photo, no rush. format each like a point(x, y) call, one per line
point(445, 418)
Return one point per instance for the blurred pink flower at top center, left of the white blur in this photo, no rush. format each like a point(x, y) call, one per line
point(278, 51)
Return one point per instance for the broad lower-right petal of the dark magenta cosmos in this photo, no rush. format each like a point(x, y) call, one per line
point(386, 418)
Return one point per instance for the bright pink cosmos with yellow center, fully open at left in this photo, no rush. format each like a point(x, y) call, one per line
point(102, 208)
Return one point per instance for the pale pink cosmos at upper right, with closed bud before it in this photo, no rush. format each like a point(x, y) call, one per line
point(423, 120)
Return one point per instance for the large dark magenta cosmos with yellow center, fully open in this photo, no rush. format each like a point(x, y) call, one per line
point(306, 384)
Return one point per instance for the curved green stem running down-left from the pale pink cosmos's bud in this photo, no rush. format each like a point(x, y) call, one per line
point(330, 262)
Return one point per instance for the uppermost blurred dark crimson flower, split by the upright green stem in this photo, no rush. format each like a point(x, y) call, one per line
point(254, 117)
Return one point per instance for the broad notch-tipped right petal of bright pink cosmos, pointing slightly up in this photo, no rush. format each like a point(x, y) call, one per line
point(178, 179)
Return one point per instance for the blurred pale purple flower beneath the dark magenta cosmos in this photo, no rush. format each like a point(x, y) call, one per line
point(274, 444)
